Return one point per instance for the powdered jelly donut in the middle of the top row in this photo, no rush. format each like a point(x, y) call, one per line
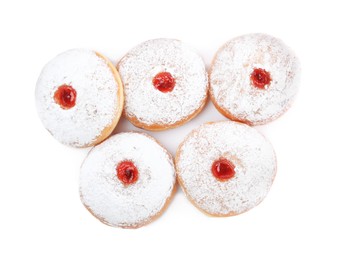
point(165, 84)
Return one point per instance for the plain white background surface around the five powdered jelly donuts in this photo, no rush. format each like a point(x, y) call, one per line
point(41, 214)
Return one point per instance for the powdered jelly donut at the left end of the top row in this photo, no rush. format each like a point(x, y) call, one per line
point(79, 97)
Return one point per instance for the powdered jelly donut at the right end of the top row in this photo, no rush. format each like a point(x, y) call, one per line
point(254, 78)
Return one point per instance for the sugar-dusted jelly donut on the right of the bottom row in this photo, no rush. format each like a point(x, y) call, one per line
point(225, 168)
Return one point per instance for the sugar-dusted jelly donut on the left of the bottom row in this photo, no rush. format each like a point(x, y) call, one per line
point(128, 180)
